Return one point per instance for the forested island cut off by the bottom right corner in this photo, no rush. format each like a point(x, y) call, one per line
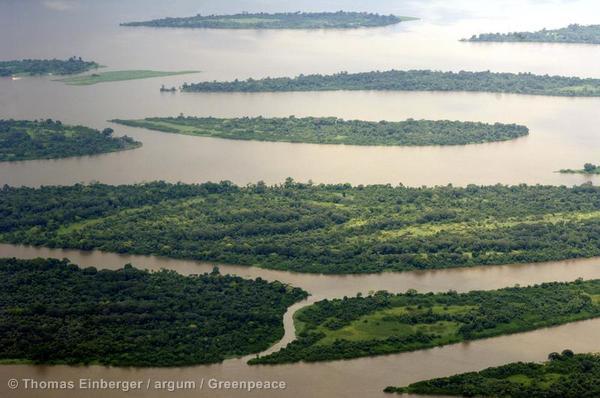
point(565, 375)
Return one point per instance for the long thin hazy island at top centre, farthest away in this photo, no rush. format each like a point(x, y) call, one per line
point(288, 20)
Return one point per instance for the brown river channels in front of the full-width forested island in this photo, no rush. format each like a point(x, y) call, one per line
point(363, 377)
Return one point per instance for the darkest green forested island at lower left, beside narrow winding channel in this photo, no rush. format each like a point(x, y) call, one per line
point(53, 312)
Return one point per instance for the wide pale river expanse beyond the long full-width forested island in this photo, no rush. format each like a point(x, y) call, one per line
point(563, 130)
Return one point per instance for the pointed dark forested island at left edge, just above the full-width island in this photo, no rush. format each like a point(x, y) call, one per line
point(50, 139)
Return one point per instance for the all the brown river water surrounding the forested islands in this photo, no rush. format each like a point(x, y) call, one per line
point(563, 135)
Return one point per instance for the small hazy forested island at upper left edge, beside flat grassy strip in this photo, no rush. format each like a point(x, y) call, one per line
point(32, 67)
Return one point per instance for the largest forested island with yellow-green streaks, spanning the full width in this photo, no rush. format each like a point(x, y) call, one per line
point(312, 228)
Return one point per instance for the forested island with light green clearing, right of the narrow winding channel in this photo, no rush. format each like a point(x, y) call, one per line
point(385, 323)
